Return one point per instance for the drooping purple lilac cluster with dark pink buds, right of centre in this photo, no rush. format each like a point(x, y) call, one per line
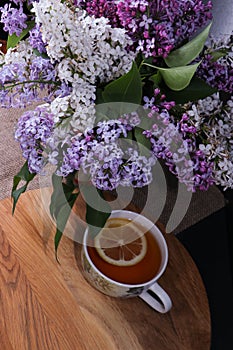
point(173, 139)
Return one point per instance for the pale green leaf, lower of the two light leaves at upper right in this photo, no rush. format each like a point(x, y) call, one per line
point(178, 78)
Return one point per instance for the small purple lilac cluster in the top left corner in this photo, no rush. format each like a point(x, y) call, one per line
point(14, 20)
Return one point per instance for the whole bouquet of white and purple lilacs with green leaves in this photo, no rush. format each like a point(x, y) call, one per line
point(119, 85)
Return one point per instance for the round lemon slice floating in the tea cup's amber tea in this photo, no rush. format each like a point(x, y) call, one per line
point(121, 243)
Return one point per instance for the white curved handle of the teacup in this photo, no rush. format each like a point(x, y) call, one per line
point(157, 298)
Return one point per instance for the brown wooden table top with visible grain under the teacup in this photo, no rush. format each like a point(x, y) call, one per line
point(50, 306)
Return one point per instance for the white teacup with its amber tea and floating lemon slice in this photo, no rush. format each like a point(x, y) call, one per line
point(127, 258)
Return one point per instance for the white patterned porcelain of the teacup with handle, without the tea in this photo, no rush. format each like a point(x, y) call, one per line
point(149, 291)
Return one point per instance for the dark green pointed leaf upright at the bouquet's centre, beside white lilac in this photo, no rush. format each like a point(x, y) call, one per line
point(127, 88)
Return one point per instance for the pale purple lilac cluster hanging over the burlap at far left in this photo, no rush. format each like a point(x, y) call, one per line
point(33, 130)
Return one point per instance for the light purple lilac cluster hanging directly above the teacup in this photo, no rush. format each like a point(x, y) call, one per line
point(100, 153)
